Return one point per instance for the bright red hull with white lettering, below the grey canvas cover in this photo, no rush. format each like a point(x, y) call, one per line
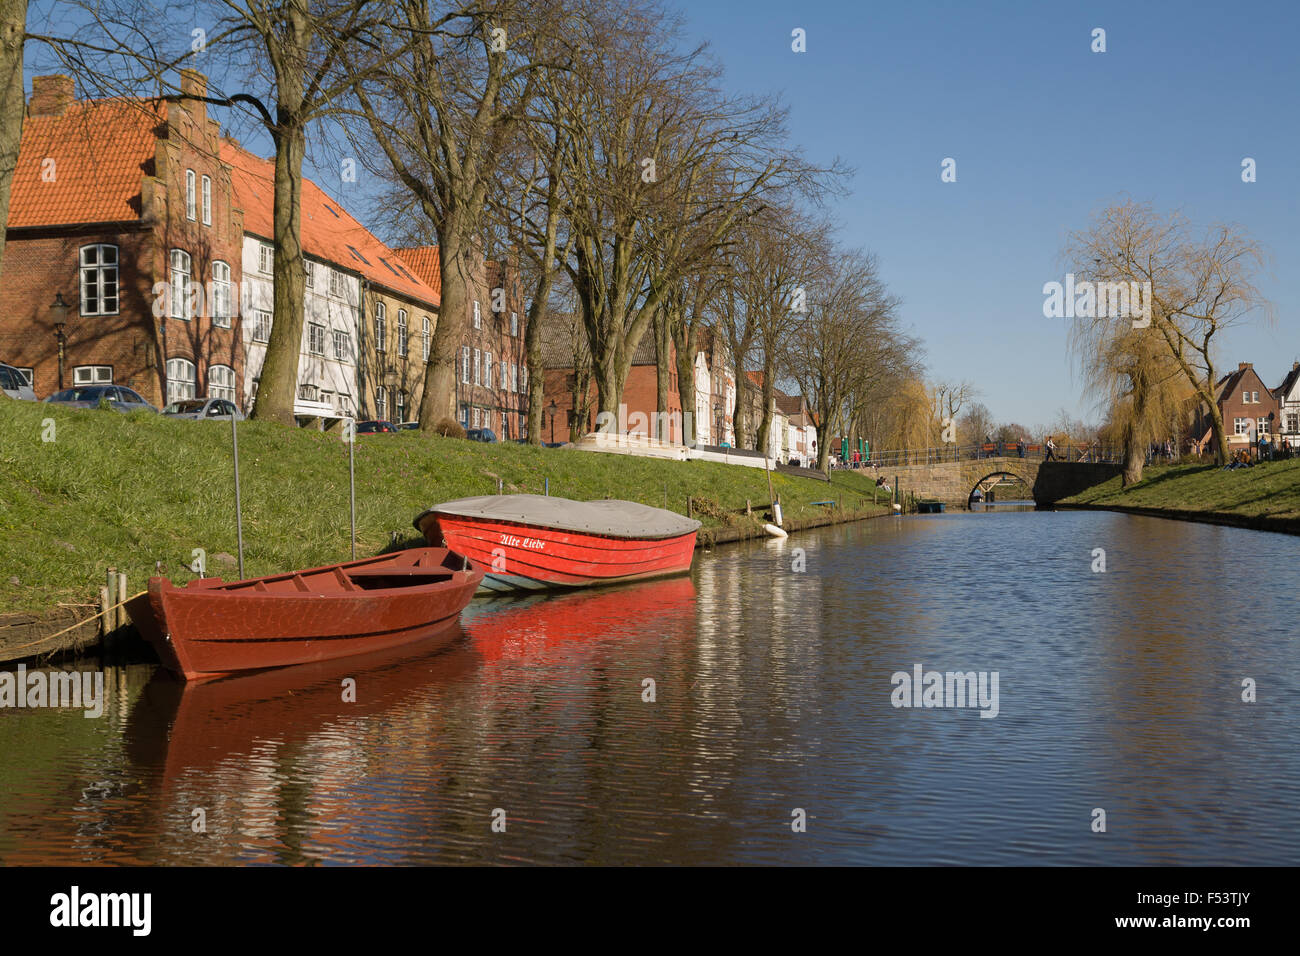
point(526, 557)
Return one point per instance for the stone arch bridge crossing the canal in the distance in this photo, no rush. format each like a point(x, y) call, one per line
point(955, 482)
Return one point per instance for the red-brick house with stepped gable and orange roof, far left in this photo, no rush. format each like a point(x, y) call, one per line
point(123, 209)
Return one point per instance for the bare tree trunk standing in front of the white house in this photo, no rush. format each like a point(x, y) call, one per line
point(279, 384)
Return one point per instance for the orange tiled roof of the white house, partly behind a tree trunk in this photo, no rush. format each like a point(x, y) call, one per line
point(330, 231)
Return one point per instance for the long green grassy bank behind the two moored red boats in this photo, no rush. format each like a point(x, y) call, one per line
point(128, 491)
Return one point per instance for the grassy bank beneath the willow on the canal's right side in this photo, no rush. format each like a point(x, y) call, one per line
point(1267, 496)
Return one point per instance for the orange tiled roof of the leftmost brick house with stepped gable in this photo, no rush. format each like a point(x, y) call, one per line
point(99, 153)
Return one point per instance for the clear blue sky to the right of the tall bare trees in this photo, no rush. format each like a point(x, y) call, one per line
point(1045, 133)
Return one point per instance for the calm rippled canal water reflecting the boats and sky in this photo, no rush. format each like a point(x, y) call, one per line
point(773, 693)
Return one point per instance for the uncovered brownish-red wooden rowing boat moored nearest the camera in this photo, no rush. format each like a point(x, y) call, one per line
point(211, 628)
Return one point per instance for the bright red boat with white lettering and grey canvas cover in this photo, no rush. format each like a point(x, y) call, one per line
point(536, 543)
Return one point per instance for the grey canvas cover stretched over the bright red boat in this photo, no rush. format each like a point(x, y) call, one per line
point(610, 518)
